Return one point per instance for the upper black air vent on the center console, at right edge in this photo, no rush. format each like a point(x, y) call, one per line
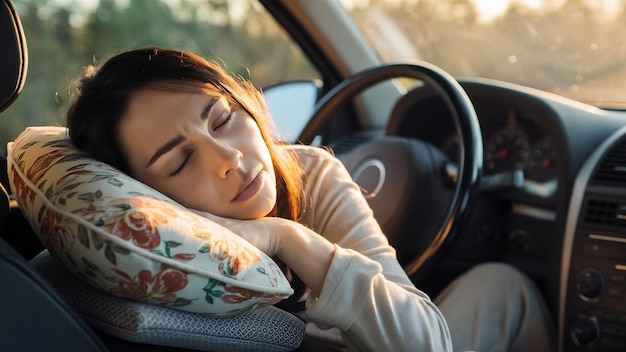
point(612, 169)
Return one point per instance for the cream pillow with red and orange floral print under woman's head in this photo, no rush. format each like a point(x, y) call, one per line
point(131, 241)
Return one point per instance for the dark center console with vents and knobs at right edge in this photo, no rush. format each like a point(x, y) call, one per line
point(593, 294)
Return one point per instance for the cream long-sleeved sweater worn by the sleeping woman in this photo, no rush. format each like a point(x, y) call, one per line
point(366, 293)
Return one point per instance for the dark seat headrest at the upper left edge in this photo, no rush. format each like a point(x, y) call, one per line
point(14, 55)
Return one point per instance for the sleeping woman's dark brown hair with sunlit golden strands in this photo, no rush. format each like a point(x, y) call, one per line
point(103, 93)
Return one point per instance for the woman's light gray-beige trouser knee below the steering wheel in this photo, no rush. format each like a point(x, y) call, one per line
point(494, 307)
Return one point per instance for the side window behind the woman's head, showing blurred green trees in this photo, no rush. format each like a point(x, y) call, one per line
point(66, 35)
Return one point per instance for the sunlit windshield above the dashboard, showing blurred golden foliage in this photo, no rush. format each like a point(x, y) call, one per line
point(574, 48)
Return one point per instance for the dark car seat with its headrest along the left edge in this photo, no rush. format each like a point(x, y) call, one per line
point(34, 316)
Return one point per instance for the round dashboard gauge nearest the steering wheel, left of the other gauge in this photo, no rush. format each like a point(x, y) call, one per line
point(507, 150)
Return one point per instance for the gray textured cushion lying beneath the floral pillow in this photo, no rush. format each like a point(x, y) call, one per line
point(265, 329)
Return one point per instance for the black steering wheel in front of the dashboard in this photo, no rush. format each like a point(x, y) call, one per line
point(418, 207)
